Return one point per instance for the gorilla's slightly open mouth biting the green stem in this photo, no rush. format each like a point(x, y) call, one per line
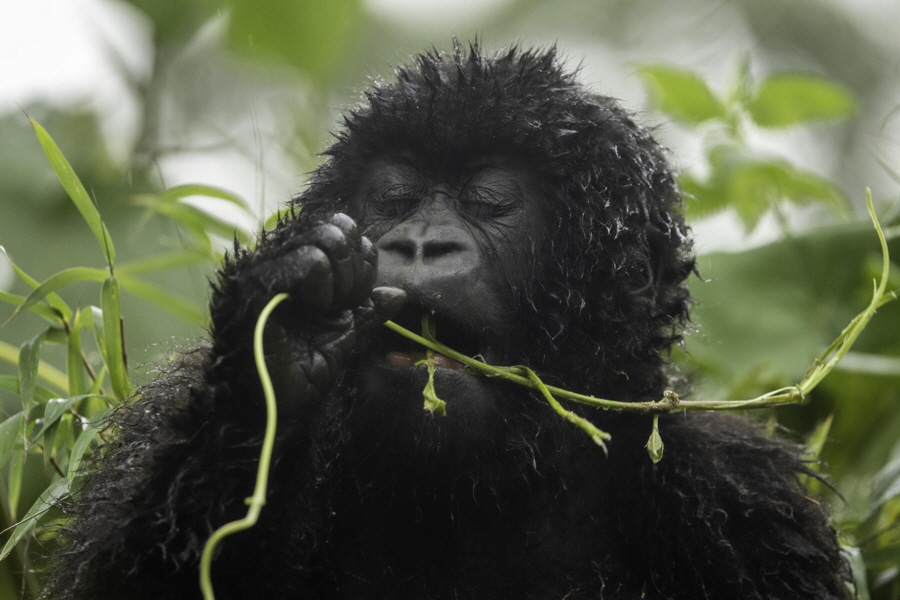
point(405, 353)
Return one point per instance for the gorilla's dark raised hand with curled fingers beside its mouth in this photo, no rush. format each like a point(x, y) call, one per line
point(328, 269)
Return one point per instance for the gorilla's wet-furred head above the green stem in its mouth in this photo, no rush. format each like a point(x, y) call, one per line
point(536, 220)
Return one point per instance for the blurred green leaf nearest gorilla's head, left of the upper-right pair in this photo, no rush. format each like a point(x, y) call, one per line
point(681, 94)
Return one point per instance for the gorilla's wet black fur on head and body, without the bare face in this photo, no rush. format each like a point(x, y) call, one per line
point(542, 515)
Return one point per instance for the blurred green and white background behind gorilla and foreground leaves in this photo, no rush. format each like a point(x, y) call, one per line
point(144, 95)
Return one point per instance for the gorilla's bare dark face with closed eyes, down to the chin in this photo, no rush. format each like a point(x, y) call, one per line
point(461, 243)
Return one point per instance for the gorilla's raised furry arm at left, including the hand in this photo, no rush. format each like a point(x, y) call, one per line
point(188, 452)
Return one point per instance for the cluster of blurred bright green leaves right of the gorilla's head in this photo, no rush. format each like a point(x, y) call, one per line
point(742, 178)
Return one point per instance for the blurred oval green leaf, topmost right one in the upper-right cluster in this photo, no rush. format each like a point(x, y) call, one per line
point(788, 99)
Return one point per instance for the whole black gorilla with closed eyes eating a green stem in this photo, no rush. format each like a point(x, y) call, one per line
point(540, 226)
